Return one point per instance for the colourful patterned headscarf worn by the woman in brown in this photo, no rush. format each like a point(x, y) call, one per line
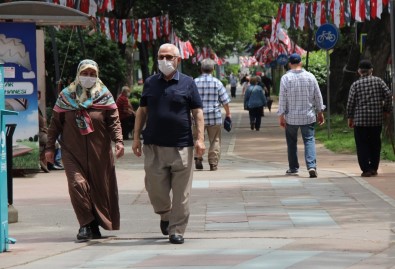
point(77, 98)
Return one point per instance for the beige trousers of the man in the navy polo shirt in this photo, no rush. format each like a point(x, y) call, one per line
point(168, 181)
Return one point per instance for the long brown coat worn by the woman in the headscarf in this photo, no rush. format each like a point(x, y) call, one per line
point(89, 165)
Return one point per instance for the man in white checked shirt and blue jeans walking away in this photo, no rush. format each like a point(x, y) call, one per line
point(300, 107)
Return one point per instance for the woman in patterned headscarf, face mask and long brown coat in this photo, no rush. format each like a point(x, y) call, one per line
point(86, 118)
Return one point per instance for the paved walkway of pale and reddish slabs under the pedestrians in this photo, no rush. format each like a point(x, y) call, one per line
point(248, 214)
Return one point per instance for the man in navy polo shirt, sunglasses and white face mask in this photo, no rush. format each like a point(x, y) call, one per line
point(167, 102)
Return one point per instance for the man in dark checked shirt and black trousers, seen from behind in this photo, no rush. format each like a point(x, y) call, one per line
point(369, 101)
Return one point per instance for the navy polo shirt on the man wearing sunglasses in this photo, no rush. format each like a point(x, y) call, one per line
point(169, 105)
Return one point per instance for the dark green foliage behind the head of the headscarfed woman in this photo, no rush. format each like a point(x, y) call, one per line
point(112, 65)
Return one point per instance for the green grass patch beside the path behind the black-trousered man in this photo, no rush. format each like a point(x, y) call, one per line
point(340, 138)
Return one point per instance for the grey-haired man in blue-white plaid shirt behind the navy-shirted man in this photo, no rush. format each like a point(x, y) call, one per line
point(213, 95)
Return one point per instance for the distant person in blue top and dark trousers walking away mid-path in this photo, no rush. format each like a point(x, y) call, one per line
point(255, 100)
